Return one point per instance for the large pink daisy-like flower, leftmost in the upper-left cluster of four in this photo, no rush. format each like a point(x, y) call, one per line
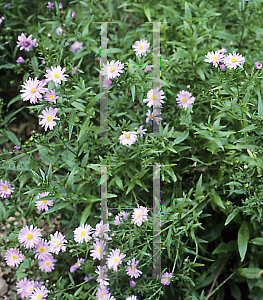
point(32, 90)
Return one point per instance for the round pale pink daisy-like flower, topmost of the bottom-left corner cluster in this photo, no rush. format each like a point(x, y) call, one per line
point(29, 236)
